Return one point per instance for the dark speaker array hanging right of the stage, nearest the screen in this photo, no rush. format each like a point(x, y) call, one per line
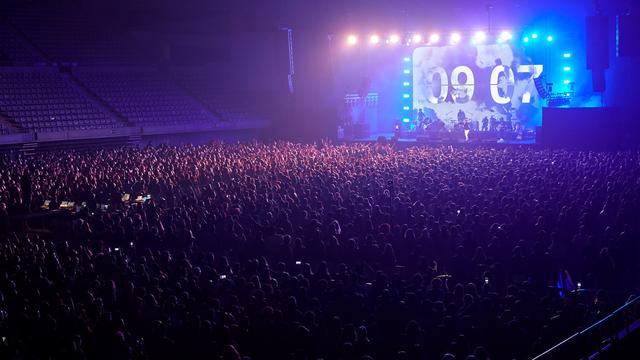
point(597, 42)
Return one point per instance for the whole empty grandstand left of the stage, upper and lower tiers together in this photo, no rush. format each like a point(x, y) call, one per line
point(110, 79)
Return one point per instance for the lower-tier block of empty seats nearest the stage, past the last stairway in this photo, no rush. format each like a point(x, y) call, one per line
point(229, 105)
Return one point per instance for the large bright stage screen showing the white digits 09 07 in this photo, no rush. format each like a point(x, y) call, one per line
point(482, 80)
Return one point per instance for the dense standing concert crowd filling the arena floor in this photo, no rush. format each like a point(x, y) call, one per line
point(289, 251)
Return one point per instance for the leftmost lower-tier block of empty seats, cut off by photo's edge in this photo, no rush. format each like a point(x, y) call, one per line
point(39, 99)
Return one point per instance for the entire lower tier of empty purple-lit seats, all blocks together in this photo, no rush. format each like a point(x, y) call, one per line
point(40, 99)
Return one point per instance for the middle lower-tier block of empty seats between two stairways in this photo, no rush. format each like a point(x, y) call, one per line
point(144, 97)
